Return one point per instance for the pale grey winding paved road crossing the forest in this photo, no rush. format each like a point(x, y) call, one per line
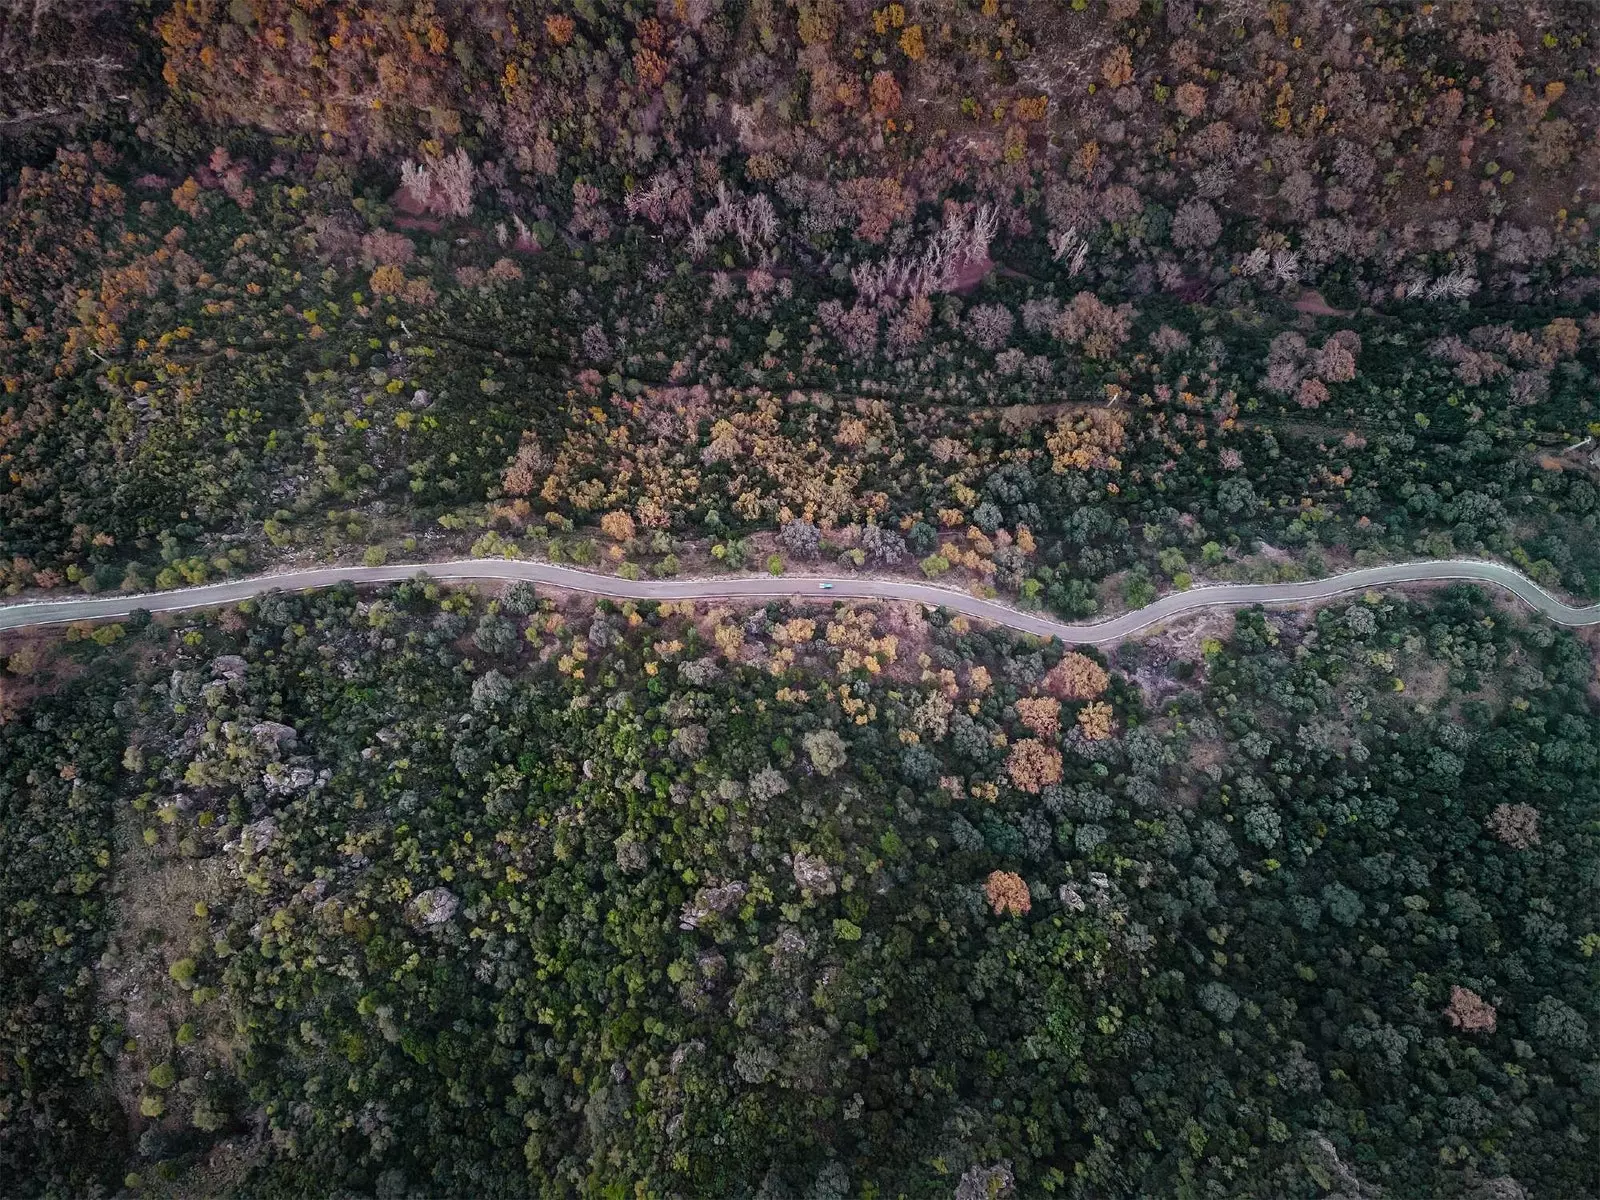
point(1110, 631)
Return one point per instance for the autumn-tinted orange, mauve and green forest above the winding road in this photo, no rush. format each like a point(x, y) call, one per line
point(1071, 302)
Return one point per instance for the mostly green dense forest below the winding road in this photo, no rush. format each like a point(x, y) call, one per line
point(450, 895)
